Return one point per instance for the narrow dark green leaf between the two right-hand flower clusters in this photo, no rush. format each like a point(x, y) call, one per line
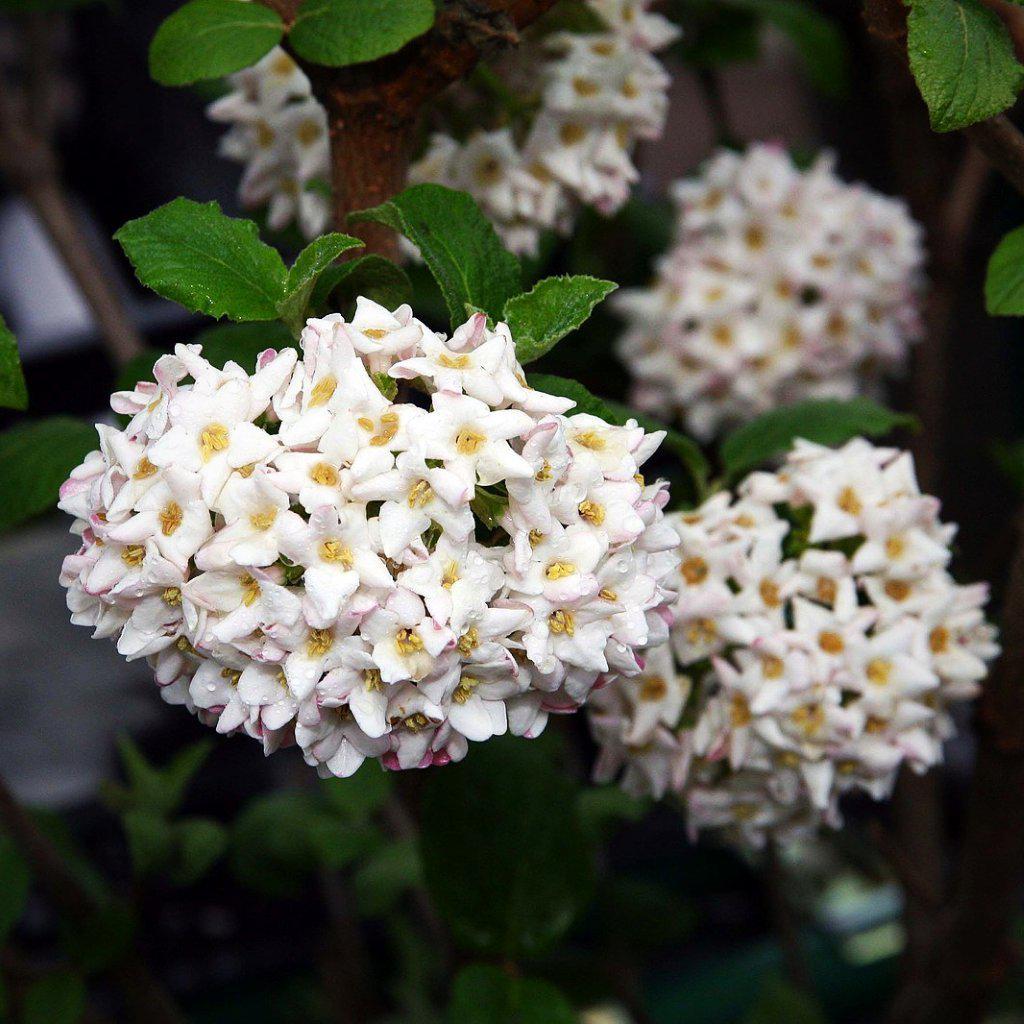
point(827, 421)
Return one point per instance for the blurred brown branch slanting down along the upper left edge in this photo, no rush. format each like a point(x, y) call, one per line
point(29, 162)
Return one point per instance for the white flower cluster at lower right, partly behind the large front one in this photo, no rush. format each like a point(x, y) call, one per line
point(823, 643)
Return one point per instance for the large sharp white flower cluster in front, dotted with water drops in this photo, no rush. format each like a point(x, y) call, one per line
point(300, 560)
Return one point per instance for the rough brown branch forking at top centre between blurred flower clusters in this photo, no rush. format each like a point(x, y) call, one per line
point(373, 109)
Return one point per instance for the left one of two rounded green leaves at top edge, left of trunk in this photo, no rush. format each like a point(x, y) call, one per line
point(212, 38)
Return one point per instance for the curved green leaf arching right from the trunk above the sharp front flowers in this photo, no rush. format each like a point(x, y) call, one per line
point(458, 244)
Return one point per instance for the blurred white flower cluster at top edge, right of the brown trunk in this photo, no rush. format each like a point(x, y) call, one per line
point(601, 92)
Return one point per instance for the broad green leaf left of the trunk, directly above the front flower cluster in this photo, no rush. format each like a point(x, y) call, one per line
point(195, 255)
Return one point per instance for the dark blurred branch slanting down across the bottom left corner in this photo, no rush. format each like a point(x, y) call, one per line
point(145, 998)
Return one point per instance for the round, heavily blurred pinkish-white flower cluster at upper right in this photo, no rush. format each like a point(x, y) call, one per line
point(782, 285)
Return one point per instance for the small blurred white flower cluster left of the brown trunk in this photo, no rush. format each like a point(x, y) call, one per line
point(279, 133)
